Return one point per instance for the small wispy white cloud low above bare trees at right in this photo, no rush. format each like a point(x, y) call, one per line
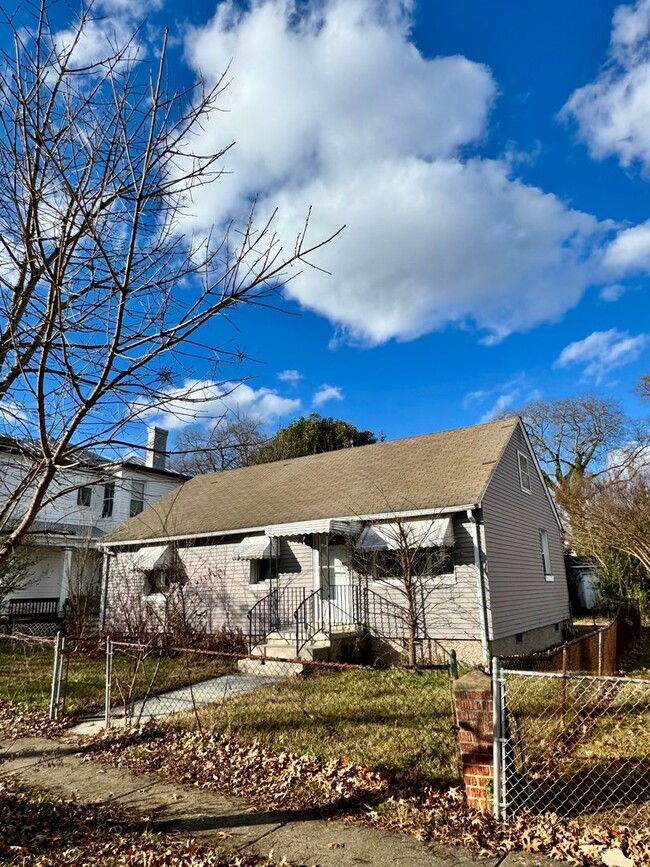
point(602, 352)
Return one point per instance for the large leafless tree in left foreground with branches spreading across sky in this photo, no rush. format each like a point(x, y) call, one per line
point(104, 296)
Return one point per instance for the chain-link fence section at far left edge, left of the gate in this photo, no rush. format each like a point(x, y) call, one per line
point(26, 665)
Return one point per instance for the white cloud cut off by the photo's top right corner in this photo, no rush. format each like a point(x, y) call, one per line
point(613, 112)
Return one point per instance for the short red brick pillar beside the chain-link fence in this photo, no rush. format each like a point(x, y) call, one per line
point(473, 700)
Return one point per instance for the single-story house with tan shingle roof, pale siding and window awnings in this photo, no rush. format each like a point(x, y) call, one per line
point(450, 539)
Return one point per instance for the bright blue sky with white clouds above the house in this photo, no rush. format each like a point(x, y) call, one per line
point(491, 163)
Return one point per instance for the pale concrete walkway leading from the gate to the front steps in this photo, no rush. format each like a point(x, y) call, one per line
point(178, 700)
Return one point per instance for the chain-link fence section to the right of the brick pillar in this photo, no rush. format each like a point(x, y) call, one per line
point(575, 745)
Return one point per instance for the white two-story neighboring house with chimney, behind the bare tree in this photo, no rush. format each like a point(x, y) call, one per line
point(98, 497)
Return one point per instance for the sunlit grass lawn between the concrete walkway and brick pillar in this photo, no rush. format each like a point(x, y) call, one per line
point(401, 721)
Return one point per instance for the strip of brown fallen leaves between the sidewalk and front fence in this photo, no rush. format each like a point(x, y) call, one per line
point(269, 779)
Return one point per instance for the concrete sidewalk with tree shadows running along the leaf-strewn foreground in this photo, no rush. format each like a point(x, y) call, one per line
point(300, 838)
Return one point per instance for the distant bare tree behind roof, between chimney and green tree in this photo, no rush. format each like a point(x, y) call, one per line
point(228, 444)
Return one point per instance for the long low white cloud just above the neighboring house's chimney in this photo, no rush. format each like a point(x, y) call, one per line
point(206, 401)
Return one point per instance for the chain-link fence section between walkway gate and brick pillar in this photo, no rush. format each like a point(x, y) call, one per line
point(397, 719)
